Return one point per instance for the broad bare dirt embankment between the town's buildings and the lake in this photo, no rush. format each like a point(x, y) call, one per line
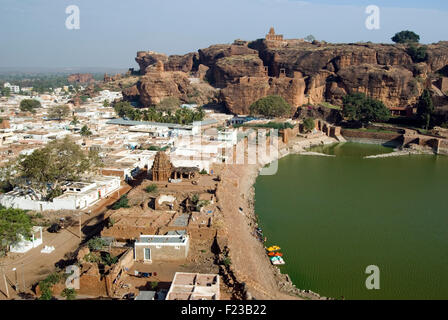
point(247, 253)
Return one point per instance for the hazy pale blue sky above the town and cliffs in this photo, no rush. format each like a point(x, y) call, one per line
point(33, 32)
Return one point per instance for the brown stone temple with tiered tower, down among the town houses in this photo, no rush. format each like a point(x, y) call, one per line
point(163, 169)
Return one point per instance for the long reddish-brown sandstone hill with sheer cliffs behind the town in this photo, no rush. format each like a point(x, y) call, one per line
point(240, 73)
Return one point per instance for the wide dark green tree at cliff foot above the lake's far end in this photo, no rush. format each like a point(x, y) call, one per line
point(358, 107)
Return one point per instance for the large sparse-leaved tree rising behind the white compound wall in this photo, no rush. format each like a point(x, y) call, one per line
point(46, 169)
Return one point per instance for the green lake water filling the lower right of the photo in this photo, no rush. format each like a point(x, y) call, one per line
point(334, 216)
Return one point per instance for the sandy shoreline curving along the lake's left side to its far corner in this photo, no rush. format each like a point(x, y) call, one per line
point(250, 264)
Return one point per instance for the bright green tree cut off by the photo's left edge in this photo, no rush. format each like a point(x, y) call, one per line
point(14, 223)
